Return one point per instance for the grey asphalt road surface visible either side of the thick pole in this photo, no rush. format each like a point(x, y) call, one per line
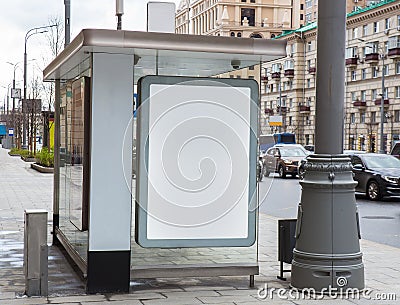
point(379, 220)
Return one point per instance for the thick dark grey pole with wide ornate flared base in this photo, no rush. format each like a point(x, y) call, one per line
point(327, 253)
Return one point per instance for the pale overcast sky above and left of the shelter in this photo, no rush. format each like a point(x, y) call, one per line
point(19, 16)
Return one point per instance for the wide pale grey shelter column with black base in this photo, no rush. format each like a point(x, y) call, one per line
point(110, 173)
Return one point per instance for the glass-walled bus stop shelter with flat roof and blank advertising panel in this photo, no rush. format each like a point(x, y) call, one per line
point(102, 190)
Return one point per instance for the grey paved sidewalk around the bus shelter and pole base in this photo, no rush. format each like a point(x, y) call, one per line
point(23, 188)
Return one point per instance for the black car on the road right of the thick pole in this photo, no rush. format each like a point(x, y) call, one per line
point(378, 175)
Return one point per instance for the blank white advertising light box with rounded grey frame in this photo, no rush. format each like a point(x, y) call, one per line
point(197, 150)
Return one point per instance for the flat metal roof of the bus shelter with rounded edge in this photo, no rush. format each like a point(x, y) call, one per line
point(164, 53)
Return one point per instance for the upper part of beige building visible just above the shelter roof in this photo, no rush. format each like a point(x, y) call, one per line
point(239, 18)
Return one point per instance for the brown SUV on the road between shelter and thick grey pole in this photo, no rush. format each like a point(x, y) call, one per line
point(283, 159)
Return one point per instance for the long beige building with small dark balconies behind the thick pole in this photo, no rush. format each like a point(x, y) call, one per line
point(373, 48)
